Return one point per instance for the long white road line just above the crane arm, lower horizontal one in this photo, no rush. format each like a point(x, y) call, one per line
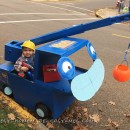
point(42, 20)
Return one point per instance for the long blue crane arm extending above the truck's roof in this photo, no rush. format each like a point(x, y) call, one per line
point(80, 28)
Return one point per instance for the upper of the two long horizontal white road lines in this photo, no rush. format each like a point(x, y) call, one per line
point(40, 13)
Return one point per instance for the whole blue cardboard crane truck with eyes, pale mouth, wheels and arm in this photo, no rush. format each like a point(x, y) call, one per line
point(50, 99)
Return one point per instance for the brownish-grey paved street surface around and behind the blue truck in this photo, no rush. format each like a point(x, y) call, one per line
point(21, 20)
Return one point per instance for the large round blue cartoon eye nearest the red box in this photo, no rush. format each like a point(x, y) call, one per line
point(66, 68)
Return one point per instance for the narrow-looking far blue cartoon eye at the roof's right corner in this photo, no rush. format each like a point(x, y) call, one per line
point(91, 51)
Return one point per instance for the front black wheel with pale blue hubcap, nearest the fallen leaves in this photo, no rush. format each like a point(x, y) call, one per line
point(42, 111)
